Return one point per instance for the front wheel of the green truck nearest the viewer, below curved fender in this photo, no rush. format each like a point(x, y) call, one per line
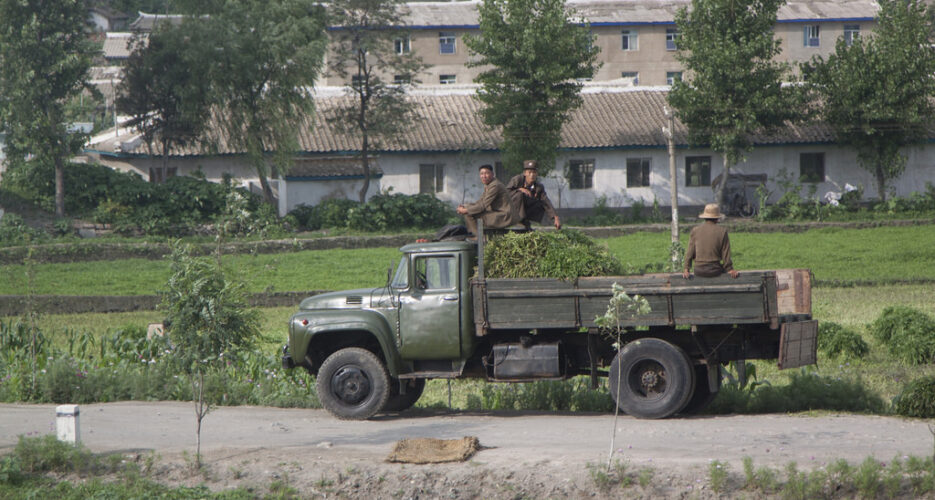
point(353, 384)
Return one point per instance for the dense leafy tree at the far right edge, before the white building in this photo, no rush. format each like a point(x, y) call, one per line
point(876, 93)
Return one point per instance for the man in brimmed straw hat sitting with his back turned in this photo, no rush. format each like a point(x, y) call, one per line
point(709, 247)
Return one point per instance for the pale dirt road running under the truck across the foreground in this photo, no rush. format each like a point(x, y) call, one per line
point(538, 453)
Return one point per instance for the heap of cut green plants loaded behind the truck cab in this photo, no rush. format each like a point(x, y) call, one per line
point(564, 254)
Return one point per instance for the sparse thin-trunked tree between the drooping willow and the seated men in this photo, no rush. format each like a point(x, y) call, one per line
point(370, 45)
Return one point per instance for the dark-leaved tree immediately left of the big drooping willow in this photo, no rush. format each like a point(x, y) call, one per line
point(163, 89)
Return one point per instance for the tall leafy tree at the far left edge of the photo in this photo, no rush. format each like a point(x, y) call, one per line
point(44, 62)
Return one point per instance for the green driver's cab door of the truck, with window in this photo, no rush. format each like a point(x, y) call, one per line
point(429, 310)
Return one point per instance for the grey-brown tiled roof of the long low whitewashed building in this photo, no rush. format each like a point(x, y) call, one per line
point(619, 118)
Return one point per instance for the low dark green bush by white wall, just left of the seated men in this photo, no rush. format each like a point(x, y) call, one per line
point(397, 211)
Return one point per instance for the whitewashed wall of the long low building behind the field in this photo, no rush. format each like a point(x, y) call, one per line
point(401, 174)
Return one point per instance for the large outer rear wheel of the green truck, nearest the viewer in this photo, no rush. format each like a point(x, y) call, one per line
point(656, 378)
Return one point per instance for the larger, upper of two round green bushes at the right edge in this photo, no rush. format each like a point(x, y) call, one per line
point(908, 333)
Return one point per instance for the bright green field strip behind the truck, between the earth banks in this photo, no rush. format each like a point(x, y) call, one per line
point(836, 256)
